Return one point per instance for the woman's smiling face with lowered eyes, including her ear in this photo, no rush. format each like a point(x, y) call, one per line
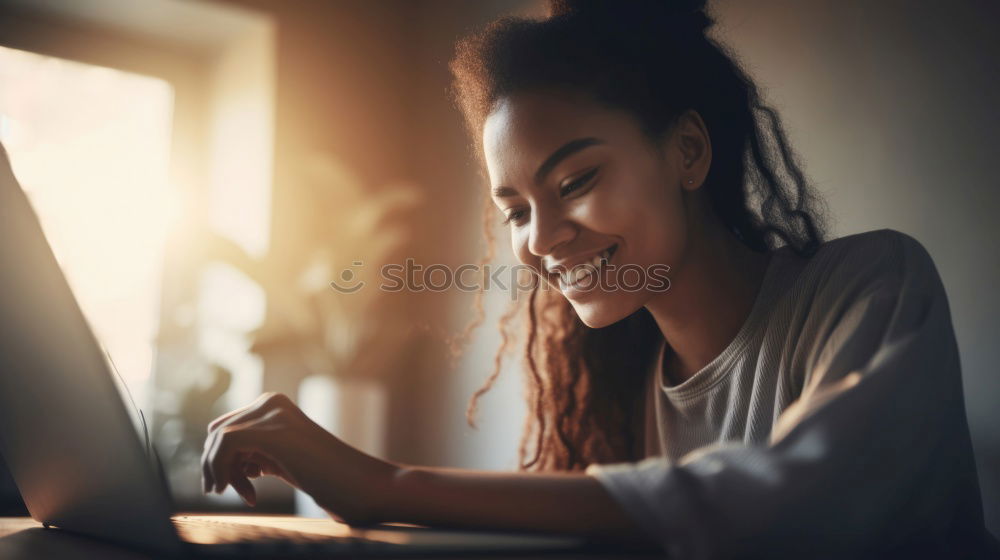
point(592, 205)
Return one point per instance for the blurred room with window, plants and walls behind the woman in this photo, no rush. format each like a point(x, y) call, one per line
point(205, 169)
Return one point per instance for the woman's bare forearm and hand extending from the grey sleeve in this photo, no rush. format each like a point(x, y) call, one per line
point(272, 436)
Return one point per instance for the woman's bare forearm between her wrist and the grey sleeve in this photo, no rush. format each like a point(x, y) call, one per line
point(570, 503)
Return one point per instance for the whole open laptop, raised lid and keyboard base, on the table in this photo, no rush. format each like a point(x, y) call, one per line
point(79, 462)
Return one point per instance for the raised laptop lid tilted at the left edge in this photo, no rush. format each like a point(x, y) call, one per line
point(64, 431)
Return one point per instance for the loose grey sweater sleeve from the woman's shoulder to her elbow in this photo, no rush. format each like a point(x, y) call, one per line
point(873, 455)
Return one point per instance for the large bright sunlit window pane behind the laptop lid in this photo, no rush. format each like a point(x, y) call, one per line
point(91, 148)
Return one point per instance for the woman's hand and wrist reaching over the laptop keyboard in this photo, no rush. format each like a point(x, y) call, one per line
point(272, 436)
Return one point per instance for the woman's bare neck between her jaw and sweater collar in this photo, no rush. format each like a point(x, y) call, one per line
point(711, 295)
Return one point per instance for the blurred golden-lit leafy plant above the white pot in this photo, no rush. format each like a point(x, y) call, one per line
point(347, 232)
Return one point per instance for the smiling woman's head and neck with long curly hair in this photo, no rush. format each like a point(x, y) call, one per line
point(680, 145)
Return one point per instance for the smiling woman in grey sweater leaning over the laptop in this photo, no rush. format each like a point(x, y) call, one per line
point(778, 395)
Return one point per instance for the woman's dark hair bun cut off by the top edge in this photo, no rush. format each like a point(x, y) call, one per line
point(683, 14)
